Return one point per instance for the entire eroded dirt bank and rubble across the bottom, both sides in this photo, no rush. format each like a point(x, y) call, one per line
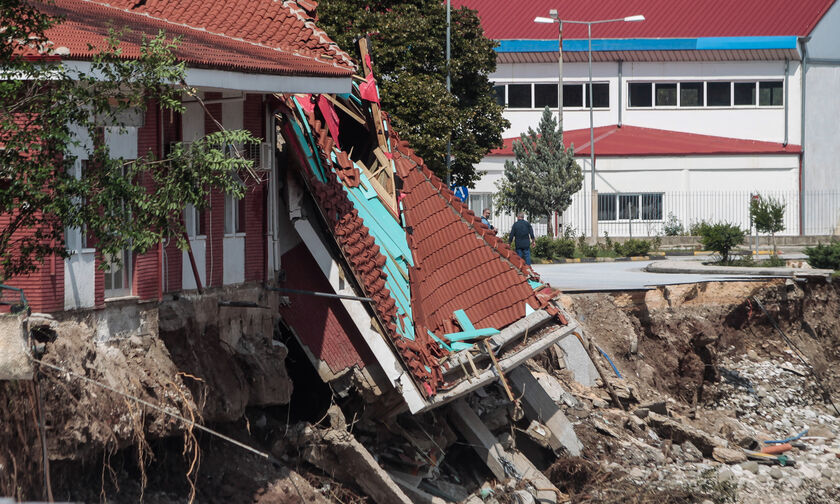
point(701, 367)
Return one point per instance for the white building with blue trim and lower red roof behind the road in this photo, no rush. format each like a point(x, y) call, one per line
point(713, 119)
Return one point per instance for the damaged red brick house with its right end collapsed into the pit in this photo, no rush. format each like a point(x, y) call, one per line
point(390, 284)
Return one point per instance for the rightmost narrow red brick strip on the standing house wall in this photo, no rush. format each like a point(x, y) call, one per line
point(255, 208)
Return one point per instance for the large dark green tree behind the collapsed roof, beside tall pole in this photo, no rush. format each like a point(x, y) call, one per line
point(408, 49)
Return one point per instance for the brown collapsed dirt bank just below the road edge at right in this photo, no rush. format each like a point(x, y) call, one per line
point(669, 339)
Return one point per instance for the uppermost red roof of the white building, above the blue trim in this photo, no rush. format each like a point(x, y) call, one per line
point(663, 18)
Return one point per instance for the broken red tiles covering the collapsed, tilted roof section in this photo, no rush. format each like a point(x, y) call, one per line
point(459, 264)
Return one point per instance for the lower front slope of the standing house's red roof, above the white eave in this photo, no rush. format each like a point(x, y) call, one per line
point(89, 23)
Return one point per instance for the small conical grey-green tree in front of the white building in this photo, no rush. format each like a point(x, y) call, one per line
point(544, 175)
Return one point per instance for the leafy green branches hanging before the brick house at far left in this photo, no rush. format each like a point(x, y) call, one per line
point(49, 109)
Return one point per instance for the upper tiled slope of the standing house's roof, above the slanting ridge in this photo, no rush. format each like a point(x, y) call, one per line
point(283, 25)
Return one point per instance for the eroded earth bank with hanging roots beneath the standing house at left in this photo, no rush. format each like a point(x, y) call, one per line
point(192, 357)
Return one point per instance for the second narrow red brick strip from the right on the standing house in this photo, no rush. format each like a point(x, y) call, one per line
point(215, 217)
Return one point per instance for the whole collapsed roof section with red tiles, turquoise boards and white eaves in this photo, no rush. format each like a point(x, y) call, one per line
point(447, 305)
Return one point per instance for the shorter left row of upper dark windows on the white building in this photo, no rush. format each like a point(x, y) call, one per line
point(538, 96)
